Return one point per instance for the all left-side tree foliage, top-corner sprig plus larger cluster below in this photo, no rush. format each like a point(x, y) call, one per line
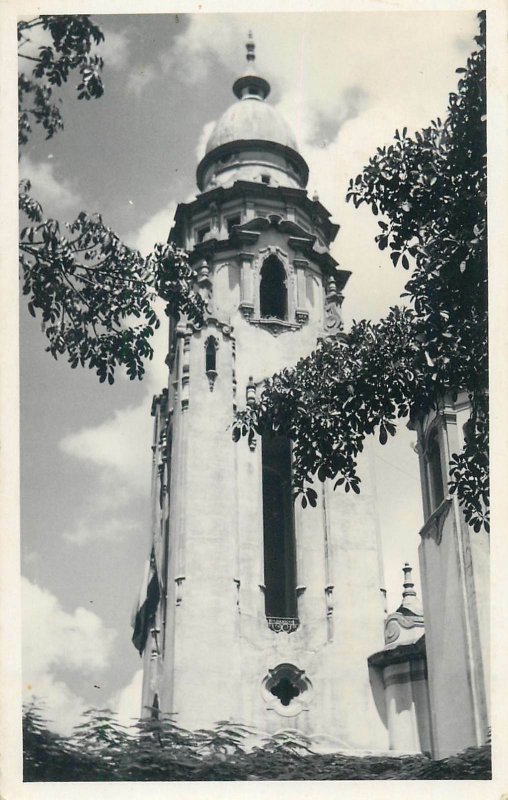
point(95, 294)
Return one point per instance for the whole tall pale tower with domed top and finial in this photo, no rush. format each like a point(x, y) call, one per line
point(255, 610)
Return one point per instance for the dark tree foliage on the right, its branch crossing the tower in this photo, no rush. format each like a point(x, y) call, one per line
point(431, 191)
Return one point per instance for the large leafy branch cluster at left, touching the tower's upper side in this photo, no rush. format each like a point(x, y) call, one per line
point(95, 294)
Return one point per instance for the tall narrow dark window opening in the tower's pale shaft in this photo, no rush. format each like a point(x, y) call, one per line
point(278, 529)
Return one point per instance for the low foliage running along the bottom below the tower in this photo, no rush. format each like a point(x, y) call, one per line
point(100, 749)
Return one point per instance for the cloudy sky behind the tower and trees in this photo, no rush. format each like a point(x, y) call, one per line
point(344, 82)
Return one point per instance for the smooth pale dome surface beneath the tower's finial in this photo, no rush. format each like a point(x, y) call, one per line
point(251, 118)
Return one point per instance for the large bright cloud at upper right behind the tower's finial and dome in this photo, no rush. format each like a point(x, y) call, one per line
point(341, 108)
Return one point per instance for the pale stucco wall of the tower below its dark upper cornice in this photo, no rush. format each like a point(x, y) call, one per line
point(218, 648)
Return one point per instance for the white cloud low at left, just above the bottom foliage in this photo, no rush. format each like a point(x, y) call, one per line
point(56, 639)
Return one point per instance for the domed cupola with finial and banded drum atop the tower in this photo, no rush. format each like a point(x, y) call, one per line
point(252, 141)
